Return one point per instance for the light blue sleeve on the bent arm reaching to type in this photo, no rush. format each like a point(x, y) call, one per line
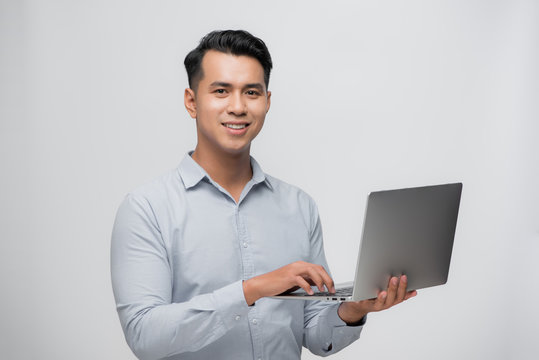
point(155, 327)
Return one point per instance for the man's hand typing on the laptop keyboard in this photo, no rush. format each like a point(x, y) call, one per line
point(299, 274)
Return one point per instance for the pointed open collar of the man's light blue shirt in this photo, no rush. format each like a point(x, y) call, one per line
point(192, 173)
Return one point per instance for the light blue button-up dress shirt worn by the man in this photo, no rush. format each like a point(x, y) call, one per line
point(181, 247)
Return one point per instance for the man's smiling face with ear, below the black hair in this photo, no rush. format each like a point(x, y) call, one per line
point(230, 103)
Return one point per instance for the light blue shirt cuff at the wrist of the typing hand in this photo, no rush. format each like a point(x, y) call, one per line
point(231, 304)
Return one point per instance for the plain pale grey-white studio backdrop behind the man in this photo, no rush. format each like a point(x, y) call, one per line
point(366, 96)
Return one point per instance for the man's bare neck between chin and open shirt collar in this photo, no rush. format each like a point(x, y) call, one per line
point(231, 171)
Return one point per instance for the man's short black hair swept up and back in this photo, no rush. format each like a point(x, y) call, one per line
point(235, 42)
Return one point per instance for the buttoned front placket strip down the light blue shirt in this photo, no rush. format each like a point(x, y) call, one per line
point(248, 272)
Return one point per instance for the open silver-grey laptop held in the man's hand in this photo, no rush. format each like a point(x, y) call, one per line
point(405, 231)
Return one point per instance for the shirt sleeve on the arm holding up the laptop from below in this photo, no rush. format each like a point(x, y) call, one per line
point(325, 332)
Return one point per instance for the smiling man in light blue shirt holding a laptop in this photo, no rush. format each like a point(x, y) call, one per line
point(196, 253)
